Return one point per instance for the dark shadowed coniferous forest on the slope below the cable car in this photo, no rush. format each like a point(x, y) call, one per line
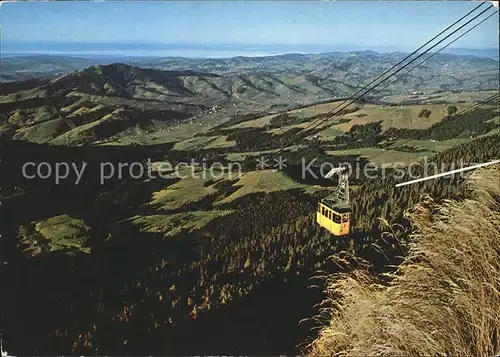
point(136, 288)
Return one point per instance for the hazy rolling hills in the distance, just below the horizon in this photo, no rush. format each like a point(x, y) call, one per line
point(104, 103)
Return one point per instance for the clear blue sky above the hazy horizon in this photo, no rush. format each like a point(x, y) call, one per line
point(362, 25)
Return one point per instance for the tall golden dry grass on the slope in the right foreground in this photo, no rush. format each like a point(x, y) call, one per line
point(444, 300)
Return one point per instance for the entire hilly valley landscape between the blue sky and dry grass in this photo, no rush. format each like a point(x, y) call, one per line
point(112, 266)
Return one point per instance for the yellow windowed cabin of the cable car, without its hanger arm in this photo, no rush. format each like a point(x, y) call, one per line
point(334, 218)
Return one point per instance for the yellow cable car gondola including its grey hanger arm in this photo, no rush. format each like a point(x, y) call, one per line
point(334, 211)
